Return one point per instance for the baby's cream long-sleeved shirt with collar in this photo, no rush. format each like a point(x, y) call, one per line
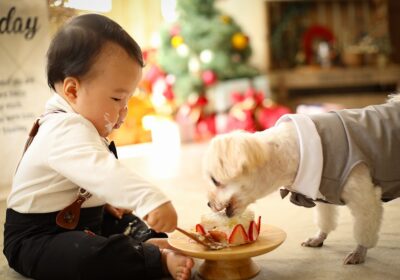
point(68, 153)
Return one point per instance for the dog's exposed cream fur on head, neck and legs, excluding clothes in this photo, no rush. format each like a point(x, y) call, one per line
point(244, 167)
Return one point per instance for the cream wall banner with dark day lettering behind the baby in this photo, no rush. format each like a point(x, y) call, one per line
point(24, 39)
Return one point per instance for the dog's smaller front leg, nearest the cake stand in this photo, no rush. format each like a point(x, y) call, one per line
point(326, 220)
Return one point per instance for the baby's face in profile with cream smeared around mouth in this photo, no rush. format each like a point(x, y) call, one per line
point(104, 92)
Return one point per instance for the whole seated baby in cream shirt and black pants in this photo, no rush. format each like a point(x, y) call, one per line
point(94, 67)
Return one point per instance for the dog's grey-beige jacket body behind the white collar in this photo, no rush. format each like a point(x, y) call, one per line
point(370, 135)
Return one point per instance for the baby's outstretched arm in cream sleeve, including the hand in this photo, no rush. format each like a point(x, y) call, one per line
point(81, 156)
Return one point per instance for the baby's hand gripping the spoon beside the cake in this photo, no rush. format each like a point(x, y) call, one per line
point(163, 218)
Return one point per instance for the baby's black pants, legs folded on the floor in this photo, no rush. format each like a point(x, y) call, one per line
point(37, 248)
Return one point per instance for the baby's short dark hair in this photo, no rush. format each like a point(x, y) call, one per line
point(75, 46)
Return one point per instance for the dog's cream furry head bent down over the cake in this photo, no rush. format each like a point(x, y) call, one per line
point(233, 164)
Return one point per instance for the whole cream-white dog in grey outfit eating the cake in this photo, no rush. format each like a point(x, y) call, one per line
point(300, 154)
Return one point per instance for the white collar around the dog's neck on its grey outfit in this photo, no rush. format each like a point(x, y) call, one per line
point(308, 178)
